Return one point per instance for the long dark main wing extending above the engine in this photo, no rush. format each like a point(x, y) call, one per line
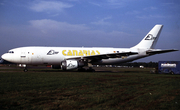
point(105, 56)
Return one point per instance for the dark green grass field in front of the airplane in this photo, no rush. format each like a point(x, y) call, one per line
point(108, 88)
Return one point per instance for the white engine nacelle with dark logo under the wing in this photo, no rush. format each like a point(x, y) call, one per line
point(71, 64)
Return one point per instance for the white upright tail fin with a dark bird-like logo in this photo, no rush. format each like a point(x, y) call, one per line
point(150, 40)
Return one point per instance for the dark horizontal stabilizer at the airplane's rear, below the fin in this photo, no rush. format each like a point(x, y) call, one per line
point(159, 51)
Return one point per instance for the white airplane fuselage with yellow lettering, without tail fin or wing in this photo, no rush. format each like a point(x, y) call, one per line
point(55, 55)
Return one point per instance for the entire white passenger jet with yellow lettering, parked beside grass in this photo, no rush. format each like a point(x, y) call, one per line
point(68, 58)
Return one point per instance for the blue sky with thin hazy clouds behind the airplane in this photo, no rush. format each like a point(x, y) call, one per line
point(89, 23)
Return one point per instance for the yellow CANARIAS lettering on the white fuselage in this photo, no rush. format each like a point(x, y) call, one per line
point(80, 52)
